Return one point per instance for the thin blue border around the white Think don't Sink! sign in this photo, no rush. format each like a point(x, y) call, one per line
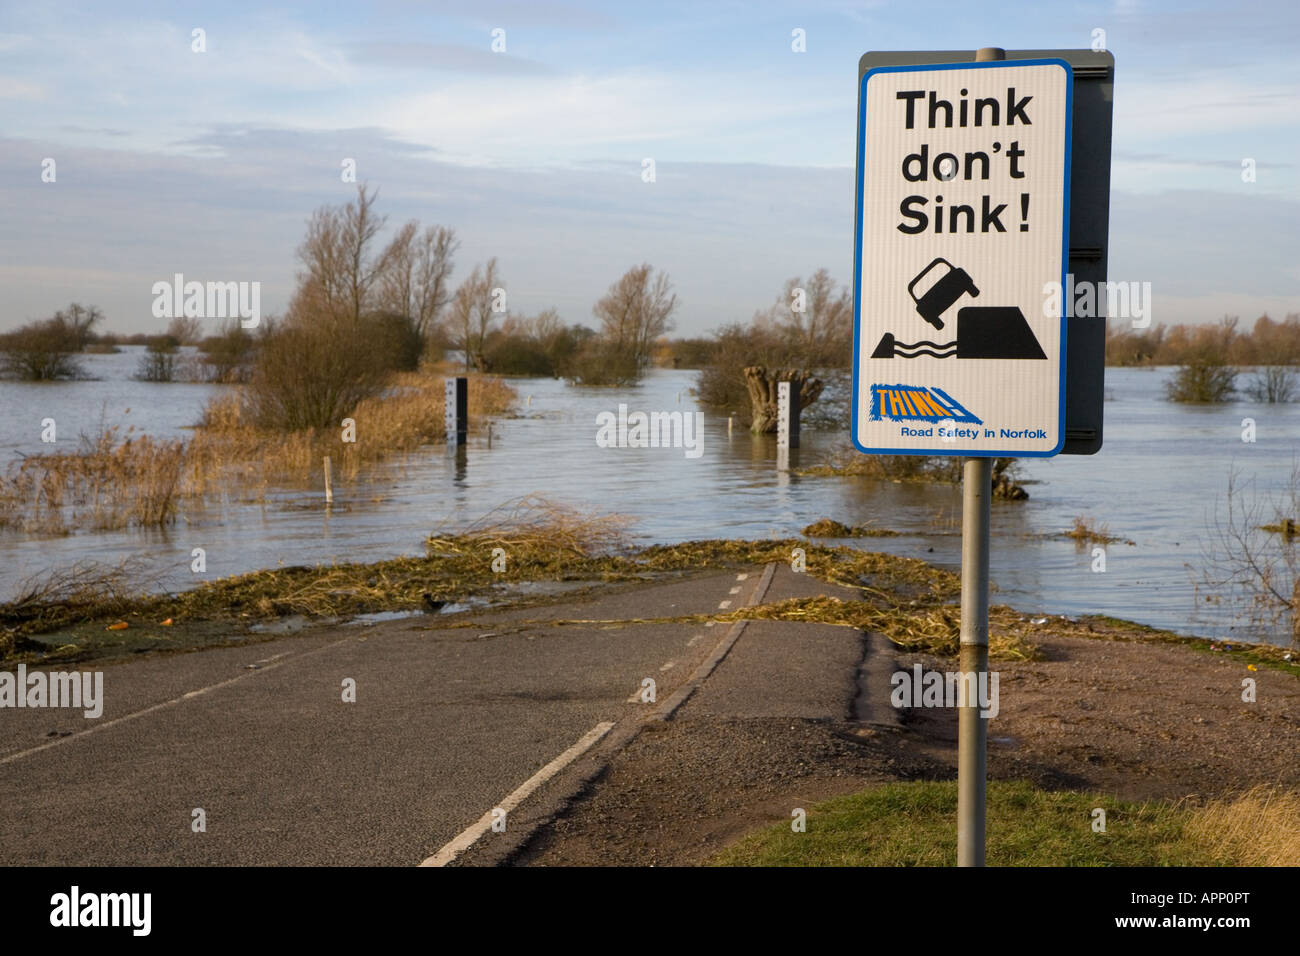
point(857, 254)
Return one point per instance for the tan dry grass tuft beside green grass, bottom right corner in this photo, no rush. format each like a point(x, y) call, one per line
point(1259, 828)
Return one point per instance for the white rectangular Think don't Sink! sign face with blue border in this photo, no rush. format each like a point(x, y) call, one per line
point(964, 200)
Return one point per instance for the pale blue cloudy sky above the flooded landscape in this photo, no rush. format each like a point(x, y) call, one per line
point(209, 165)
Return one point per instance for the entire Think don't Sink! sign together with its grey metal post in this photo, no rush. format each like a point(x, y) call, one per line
point(964, 224)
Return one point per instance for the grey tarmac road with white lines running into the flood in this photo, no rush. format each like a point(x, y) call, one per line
point(448, 723)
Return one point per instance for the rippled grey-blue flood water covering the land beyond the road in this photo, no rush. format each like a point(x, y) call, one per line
point(1159, 481)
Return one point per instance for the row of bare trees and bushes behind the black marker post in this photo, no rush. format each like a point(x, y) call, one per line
point(362, 313)
